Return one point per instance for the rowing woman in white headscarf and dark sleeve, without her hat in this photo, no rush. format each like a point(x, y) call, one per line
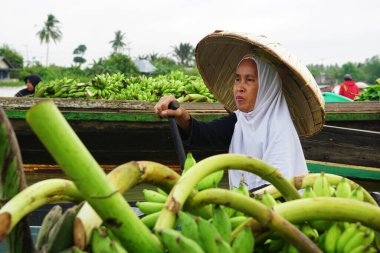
point(261, 127)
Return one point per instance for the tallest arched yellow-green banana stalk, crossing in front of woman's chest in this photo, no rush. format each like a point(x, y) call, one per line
point(187, 182)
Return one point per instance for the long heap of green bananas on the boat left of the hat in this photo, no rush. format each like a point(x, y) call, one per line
point(120, 87)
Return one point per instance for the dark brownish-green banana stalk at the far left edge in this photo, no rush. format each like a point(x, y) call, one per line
point(12, 181)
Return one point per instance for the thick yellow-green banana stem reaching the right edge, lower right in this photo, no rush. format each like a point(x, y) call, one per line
point(320, 208)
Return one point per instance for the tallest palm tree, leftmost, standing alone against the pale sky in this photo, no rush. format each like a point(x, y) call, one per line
point(49, 32)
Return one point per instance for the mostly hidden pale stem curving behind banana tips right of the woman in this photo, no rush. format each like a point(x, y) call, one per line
point(308, 180)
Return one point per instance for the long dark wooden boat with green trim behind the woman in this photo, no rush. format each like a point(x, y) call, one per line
point(116, 132)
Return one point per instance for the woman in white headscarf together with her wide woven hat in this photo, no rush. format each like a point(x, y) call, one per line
point(273, 97)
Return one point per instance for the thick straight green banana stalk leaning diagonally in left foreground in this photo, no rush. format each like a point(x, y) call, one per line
point(78, 164)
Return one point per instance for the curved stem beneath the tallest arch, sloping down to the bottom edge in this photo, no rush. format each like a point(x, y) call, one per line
point(260, 212)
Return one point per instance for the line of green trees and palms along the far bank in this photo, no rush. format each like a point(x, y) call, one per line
point(183, 55)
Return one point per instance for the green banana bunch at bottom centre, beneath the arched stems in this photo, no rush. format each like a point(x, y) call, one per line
point(198, 235)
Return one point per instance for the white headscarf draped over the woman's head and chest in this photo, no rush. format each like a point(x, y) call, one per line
point(267, 132)
